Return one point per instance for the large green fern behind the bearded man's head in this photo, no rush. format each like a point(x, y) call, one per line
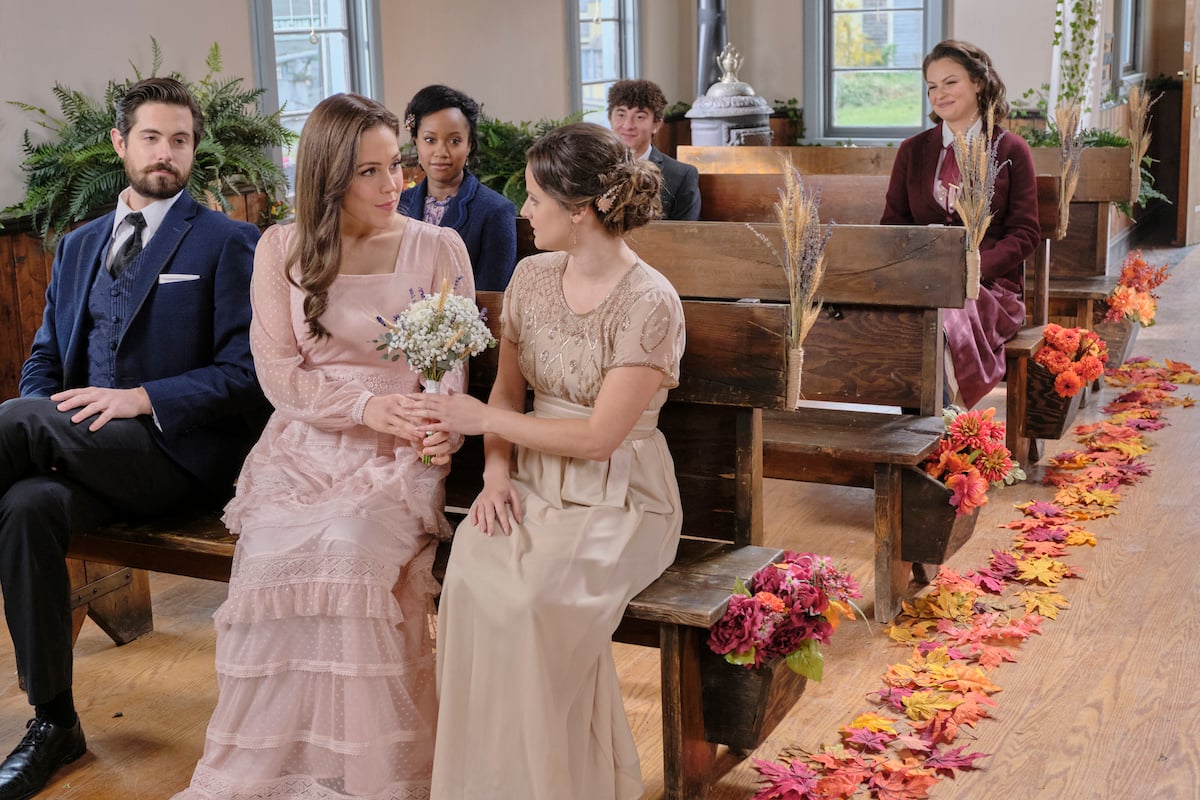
point(77, 172)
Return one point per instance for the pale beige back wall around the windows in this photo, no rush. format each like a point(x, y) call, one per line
point(512, 57)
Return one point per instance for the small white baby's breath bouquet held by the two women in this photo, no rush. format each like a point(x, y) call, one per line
point(436, 334)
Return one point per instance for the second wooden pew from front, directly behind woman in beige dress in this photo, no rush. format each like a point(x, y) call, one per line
point(878, 344)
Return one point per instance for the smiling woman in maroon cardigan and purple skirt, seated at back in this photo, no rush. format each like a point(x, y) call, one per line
point(963, 85)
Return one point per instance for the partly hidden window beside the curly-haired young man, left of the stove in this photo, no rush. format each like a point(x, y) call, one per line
point(604, 35)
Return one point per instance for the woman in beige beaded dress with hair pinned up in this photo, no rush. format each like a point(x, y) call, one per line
point(586, 515)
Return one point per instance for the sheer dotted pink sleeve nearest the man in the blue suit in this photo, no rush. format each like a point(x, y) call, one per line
point(292, 387)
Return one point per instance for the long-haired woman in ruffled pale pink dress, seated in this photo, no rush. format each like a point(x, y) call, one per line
point(325, 654)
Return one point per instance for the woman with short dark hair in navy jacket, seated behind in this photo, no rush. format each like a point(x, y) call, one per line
point(443, 122)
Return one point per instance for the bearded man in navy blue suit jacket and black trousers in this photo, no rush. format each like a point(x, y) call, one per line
point(139, 398)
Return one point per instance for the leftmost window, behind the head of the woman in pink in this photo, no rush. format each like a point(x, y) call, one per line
point(310, 50)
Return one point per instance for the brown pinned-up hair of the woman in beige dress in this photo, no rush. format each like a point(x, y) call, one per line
point(587, 165)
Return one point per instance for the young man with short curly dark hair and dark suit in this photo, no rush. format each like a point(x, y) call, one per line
point(635, 113)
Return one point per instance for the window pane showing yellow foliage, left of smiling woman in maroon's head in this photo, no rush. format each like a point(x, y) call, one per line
point(879, 40)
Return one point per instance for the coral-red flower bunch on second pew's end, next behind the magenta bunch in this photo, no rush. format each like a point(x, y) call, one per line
point(971, 459)
